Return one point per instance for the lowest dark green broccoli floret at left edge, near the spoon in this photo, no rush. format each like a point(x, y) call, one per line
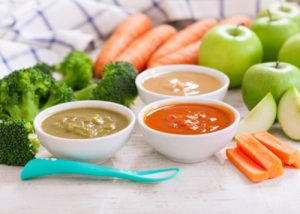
point(18, 143)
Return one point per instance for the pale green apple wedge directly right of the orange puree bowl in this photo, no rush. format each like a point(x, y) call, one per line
point(261, 117)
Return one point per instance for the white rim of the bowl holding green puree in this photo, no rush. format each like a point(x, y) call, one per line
point(77, 104)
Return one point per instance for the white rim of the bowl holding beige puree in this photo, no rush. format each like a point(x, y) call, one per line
point(181, 67)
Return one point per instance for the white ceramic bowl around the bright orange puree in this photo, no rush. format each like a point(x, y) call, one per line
point(187, 148)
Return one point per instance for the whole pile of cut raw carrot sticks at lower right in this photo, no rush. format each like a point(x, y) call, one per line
point(261, 156)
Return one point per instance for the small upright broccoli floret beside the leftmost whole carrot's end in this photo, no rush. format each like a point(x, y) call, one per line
point(77, 70)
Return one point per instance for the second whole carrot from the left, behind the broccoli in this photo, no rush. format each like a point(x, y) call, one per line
point(139, 52)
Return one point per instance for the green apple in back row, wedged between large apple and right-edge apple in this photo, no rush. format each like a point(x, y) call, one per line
point(272, 34)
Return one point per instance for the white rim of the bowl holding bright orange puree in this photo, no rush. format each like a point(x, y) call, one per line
point(160, 103)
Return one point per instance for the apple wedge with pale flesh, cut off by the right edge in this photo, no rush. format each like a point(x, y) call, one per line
point(289, 113)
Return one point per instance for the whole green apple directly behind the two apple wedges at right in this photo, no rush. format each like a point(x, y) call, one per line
point(263, 78)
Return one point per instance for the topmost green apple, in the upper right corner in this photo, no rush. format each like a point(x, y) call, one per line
point(283, 10)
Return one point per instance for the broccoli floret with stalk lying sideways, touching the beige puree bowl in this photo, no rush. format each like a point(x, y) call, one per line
point(118, 85)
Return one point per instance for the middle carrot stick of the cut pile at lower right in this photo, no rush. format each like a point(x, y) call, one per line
point(260, 154)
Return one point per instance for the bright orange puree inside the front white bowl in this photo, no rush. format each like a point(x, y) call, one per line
point(189, 118)
